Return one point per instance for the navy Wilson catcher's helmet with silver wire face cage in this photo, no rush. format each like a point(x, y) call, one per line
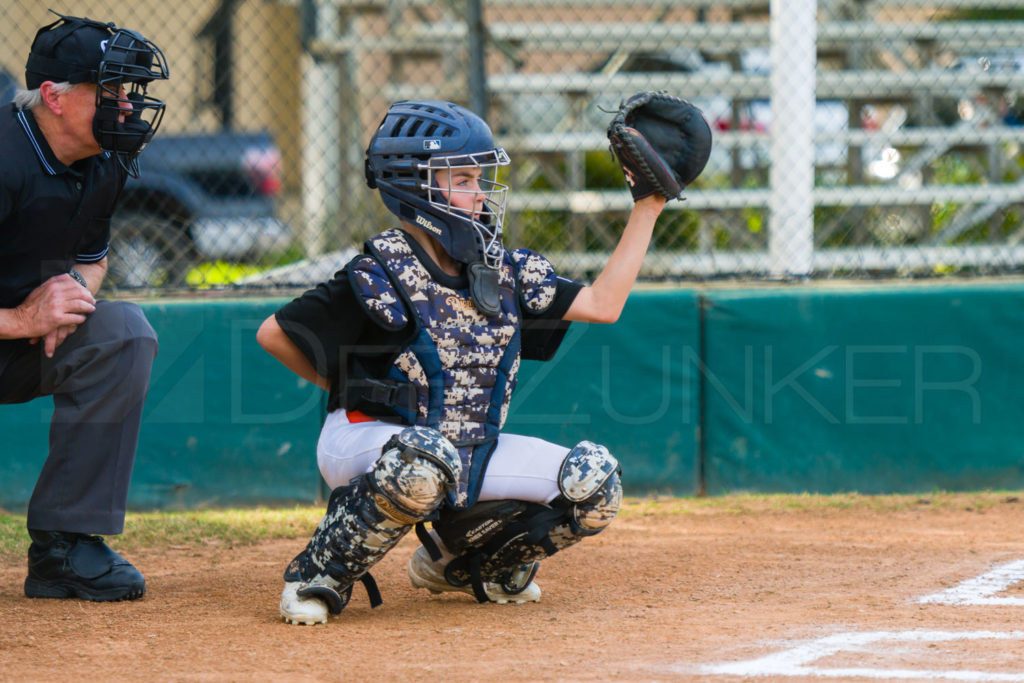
point(416, 140)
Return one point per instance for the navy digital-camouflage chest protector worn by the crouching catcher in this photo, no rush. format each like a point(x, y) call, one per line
point(461, 366)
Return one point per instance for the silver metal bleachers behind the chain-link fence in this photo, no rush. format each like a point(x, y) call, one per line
point(865, 61)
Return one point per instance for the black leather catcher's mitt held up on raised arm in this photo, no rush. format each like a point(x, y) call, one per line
point(662, 143)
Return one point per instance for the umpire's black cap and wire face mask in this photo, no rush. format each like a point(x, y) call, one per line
point(81, 51)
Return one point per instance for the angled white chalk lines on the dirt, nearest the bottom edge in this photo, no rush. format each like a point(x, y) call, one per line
point(794, 662)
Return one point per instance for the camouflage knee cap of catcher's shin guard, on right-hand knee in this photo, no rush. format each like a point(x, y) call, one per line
point(590, 482)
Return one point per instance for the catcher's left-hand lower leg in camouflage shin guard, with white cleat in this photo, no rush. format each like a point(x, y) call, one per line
point(365, 521)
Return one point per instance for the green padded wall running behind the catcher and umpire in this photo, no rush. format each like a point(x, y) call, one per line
point(868, 389)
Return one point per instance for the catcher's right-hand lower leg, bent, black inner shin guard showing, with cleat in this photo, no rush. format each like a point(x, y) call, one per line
point(495, 547)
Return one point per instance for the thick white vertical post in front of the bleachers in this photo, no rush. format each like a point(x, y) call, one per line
point(794, 58)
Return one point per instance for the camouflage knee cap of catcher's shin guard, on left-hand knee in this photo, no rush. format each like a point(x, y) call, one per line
point(418, 467)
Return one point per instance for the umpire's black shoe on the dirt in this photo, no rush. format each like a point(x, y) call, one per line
point(77, 566)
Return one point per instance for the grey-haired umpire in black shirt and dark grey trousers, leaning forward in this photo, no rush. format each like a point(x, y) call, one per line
point(67, 146)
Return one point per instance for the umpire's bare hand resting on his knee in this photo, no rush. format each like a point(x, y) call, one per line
point(54, 311)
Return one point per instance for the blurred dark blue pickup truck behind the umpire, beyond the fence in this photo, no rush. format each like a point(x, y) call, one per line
point(200, 197)
